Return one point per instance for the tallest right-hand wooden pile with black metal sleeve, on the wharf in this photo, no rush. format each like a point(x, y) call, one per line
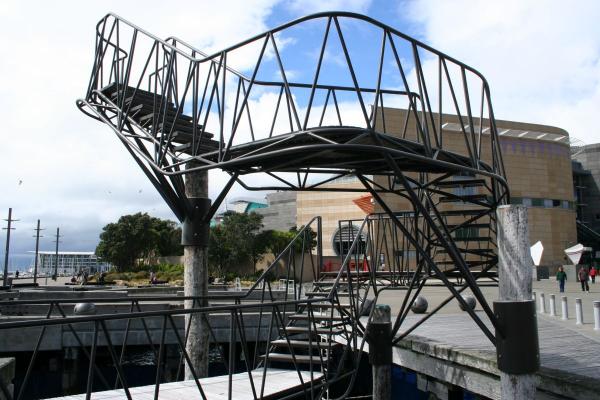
point(517, 340)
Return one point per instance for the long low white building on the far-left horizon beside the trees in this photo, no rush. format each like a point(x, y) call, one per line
point(70, 262)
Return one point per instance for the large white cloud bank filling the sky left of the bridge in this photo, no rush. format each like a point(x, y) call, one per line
point(74, 171)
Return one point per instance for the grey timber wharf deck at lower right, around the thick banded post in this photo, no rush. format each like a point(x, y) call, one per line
point(451, 348)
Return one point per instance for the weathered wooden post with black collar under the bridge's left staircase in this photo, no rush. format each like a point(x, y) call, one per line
point(194, 238)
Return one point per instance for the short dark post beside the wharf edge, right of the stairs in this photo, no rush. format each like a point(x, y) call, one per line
point(379, 333)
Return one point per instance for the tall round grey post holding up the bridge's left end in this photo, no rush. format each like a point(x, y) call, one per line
point(195, 263)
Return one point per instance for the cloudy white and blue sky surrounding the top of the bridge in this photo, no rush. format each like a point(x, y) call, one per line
point(541, 59)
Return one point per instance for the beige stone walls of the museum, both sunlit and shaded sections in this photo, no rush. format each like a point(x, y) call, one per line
point(537, 169)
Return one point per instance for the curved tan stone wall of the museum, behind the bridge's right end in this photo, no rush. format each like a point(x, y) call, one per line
point(535, 169)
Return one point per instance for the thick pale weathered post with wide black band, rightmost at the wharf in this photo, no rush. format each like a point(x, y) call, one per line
point(515, 273)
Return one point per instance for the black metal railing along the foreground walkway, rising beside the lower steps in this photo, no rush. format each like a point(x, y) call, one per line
point(261, 302)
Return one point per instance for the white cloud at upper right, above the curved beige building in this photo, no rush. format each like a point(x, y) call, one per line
point(540, 59)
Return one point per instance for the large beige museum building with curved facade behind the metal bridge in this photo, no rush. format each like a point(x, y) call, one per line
point(537, 160)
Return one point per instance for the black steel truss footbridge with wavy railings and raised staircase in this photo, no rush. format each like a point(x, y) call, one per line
point(301, 119)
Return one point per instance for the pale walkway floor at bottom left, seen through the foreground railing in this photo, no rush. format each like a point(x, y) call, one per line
point(278, 383)
